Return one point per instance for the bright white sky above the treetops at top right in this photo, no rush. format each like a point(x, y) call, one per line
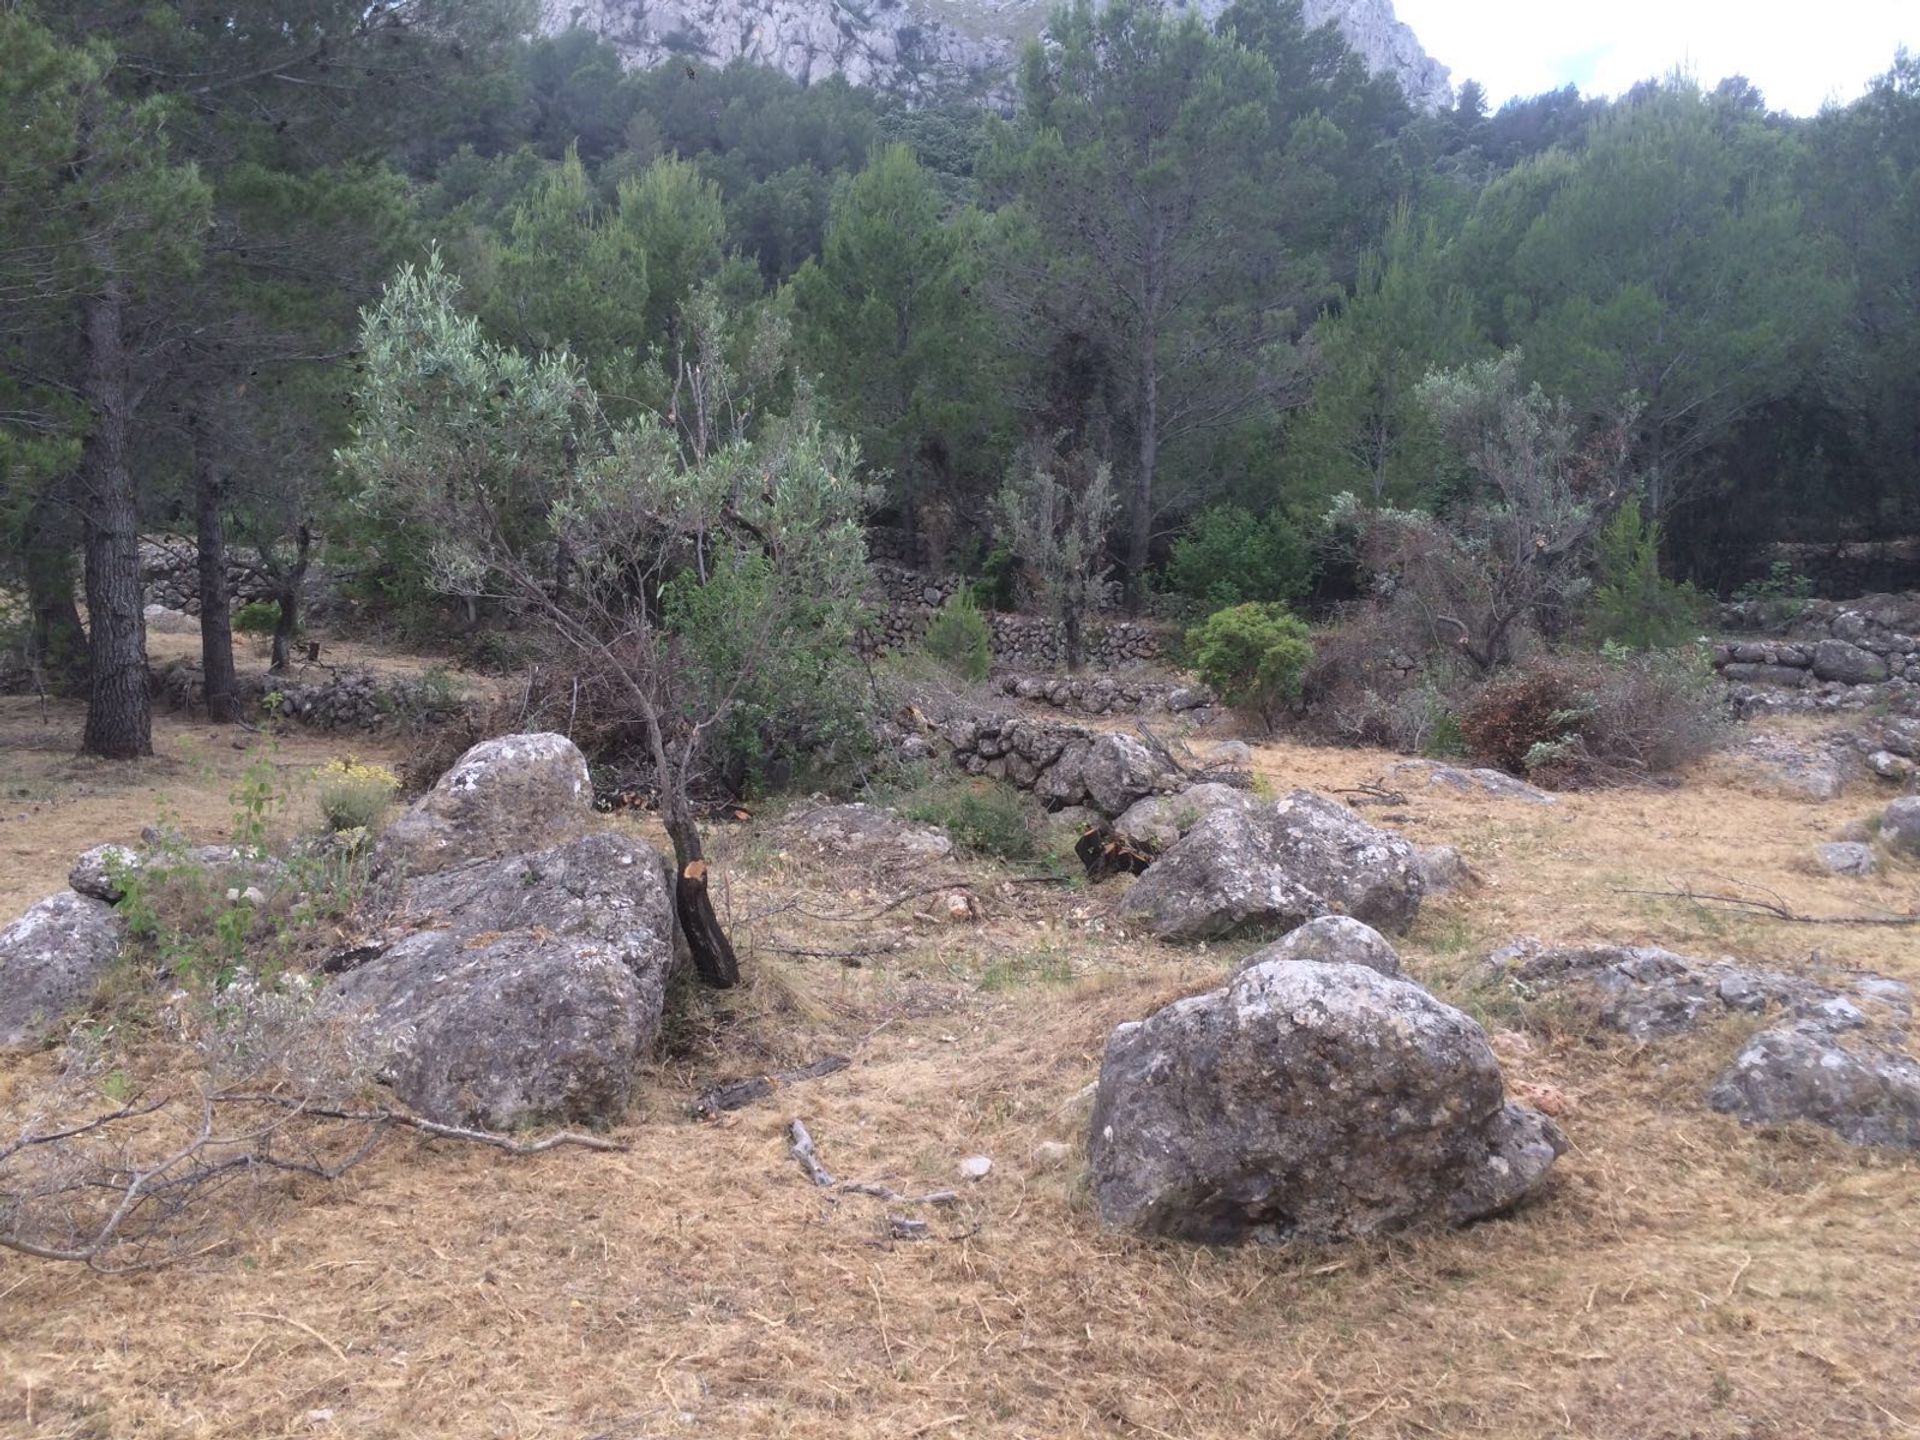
point(1800, 55)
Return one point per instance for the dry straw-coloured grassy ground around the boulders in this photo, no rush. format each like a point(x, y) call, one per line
point(1679, 1278)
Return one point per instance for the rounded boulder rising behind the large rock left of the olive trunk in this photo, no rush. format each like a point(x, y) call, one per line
point(500, 798)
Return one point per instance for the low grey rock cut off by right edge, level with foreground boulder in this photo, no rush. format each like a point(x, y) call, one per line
point(1867, 1093)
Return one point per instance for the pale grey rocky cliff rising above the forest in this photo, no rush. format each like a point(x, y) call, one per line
point(924, 47)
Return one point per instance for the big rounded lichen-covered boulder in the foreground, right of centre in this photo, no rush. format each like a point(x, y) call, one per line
point(1308, 1103)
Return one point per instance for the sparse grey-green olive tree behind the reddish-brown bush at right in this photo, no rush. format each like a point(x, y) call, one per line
point(1510, 556)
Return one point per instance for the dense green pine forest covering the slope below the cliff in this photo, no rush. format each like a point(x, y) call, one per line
point(299, 281)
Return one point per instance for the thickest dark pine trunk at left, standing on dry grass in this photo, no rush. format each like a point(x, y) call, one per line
point(120, 717)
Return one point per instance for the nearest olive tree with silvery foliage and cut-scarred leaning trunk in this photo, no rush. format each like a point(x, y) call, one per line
point(694, 569)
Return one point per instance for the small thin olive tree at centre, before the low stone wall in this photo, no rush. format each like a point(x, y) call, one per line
point(1053, 516)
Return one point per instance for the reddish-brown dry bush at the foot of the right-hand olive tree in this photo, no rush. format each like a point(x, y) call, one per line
point(1591, 721)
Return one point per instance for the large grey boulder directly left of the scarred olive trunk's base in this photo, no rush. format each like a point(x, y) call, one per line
point(527, 990)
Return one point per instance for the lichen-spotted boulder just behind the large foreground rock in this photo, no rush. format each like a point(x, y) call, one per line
point(1276, 867)
